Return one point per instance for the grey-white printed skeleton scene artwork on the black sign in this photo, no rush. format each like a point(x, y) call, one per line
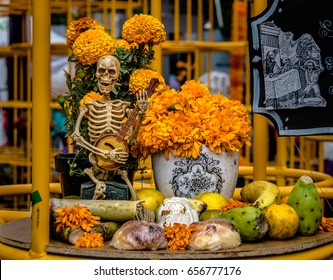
point(291, 69)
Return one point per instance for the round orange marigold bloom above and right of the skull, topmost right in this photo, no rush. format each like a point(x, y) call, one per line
point(144, 29)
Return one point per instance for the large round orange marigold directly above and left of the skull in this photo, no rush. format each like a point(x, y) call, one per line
point(93, 44)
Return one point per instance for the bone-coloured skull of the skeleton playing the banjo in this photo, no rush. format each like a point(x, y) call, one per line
point(108, 69)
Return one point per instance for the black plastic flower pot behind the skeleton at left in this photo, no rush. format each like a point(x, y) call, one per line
point(70, 185)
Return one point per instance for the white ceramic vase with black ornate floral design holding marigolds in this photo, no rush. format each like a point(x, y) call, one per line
point(187, 177)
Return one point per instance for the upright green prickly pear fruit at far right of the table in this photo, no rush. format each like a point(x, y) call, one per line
point(304, 198)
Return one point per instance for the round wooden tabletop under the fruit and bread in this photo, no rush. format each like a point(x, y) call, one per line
point(18, 234)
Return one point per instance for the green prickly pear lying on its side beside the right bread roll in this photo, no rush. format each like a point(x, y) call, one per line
point(250, 221)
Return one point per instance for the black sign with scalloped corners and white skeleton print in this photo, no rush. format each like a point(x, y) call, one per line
point(291, 61)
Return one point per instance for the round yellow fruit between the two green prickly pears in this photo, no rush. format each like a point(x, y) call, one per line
point(283, 221)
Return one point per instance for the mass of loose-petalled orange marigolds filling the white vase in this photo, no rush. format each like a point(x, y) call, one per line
point(180, 122)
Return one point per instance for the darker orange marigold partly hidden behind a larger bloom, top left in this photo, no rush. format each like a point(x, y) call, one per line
point(77, 27)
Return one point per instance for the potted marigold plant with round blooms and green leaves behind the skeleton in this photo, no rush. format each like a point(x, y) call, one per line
point(88, 41)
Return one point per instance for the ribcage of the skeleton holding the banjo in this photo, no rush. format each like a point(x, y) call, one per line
point(105, 117)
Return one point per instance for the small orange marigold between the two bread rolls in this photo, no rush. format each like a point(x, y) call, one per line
point(177, 235)
